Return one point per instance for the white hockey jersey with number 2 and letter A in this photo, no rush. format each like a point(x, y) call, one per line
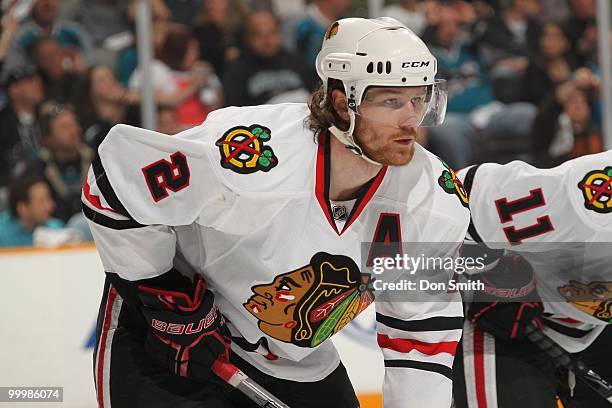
point(243, 200)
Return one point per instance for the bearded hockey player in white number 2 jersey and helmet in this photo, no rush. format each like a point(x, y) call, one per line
point(250, 226)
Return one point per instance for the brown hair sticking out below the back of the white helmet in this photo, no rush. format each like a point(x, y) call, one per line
point(322, 112)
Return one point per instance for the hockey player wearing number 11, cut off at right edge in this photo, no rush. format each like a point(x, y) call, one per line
point(560, 221)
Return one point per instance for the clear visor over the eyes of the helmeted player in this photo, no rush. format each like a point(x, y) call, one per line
point(410, 106)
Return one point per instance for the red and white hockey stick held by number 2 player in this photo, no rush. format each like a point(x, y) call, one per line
point(239, 380)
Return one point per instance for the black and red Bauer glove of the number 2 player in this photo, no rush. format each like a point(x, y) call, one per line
point(186, 332)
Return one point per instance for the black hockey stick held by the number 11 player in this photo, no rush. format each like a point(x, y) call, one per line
point(564, 359)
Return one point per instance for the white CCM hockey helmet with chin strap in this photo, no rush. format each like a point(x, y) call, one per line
point(378, 52)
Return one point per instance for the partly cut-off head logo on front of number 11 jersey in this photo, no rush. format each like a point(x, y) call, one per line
point(593, 298)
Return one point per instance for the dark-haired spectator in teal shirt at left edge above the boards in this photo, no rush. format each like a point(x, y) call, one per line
point(30, 206)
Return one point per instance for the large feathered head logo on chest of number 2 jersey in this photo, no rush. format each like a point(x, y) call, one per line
point(308, 305)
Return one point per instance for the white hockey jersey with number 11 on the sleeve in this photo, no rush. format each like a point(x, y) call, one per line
point(560, 220)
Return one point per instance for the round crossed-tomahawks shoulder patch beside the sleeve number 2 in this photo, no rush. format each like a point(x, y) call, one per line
point(243, 149)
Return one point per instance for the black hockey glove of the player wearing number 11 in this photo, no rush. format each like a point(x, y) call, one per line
point(509, 302)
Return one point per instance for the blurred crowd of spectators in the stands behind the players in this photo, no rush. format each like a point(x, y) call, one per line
point(522, 77)
